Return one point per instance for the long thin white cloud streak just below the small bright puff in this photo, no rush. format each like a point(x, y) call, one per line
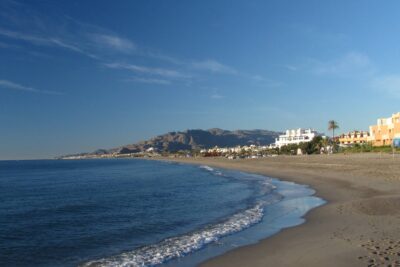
point(168, 73)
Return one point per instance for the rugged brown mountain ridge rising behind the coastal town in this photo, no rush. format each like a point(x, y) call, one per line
point(196, 139)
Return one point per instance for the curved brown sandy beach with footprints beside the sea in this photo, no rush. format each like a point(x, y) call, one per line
point(359, 226)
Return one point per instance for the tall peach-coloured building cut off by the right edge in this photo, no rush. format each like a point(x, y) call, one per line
point(385, 131)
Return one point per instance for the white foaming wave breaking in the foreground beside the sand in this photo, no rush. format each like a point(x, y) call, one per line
point(179, 246)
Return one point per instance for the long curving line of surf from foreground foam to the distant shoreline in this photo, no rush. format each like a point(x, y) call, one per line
point(179, 246)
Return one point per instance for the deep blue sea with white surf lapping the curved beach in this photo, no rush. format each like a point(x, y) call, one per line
point(132, 212)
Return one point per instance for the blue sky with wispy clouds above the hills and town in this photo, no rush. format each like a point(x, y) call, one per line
point(77, 75)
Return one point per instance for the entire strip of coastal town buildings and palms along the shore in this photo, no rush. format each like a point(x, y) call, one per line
point(382, 136)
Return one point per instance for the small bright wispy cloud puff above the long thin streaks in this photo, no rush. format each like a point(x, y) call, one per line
point(113, 42)
